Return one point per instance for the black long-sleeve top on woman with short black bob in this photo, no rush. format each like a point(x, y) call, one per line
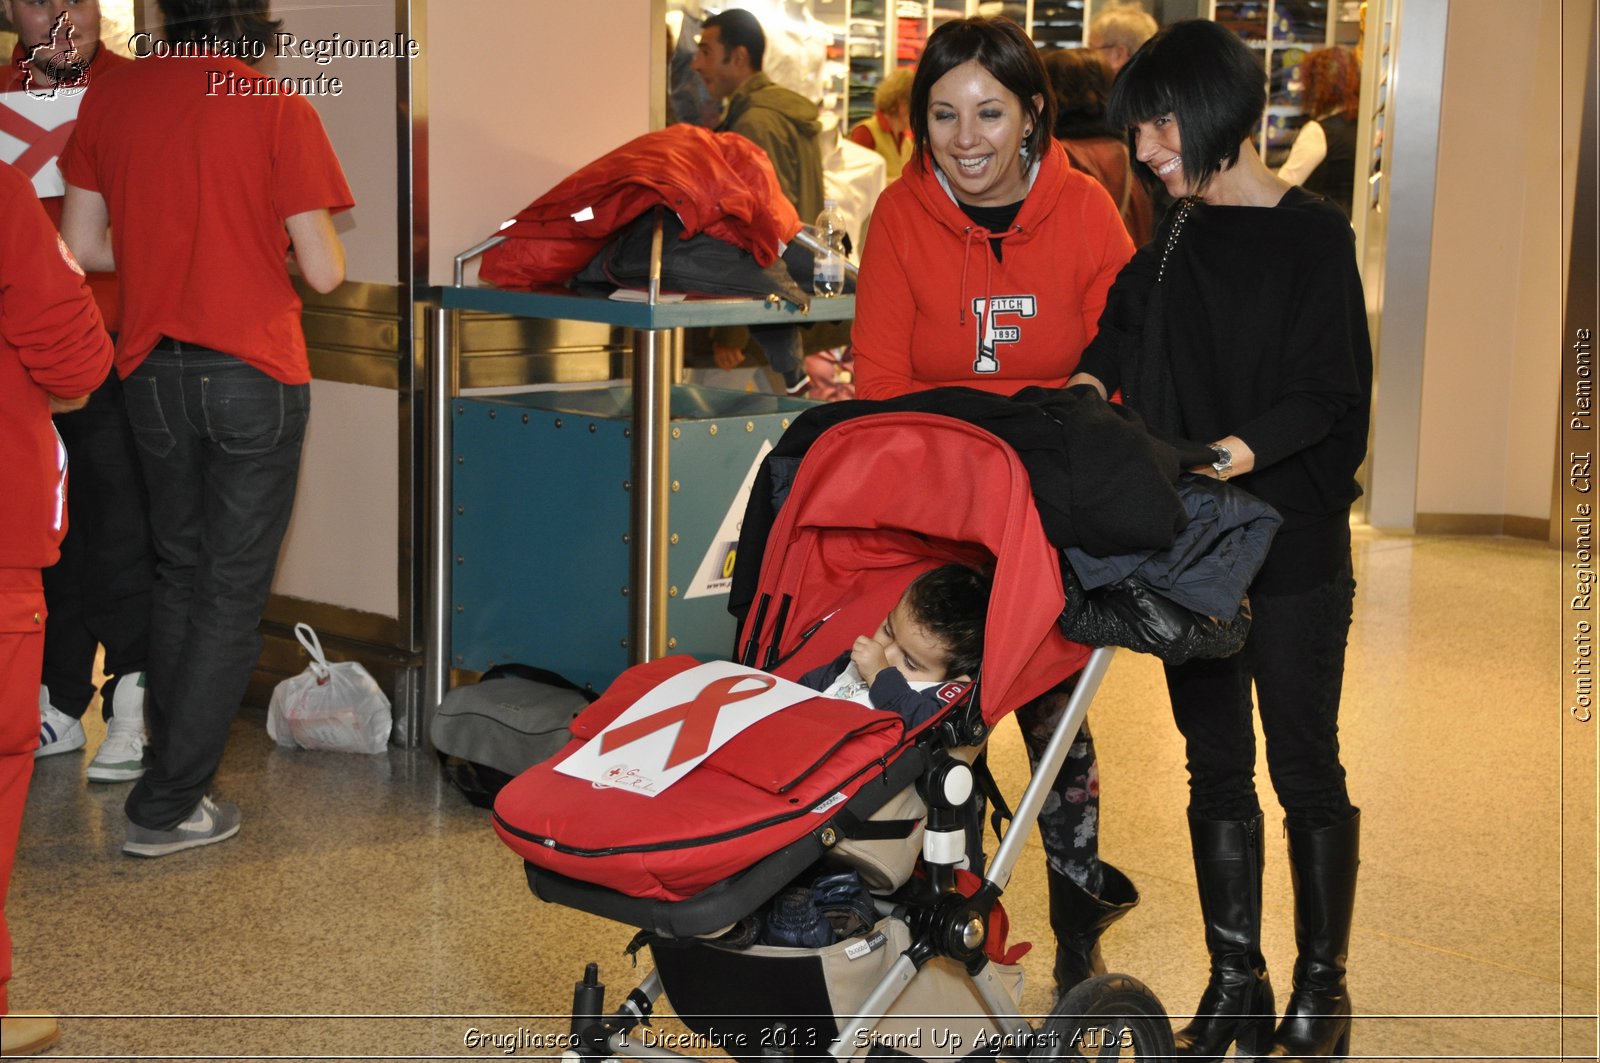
point(1266, 339)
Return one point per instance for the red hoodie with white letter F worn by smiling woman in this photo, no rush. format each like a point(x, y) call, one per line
point(935, 308)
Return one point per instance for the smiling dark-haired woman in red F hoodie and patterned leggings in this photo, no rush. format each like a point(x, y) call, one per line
point(988, 267)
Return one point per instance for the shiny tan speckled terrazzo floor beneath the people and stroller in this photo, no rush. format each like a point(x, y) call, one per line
point(367, 912)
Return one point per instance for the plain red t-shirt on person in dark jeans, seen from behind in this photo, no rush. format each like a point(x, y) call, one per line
point(198, 188)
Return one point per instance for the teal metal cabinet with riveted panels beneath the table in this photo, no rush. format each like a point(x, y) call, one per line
point(542, 524)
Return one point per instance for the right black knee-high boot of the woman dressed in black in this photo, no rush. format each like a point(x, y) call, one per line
point(1322, 868)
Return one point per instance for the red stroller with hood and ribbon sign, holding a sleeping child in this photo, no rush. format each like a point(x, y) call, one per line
point(828, 784)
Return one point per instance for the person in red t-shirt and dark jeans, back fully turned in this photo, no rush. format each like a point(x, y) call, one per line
point(198, 195)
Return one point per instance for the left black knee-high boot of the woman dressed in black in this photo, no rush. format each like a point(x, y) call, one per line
point(1238, 1001)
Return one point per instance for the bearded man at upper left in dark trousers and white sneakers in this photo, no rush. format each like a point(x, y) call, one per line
point(100, 592)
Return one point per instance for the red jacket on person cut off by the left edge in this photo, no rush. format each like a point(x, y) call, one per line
point(52, 342)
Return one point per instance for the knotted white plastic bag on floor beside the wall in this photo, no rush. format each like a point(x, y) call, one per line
point(329, 707)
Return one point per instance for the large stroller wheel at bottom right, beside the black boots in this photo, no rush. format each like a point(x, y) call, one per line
point(1111, 1017)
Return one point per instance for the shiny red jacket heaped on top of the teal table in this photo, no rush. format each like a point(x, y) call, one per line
point(716, 183)
